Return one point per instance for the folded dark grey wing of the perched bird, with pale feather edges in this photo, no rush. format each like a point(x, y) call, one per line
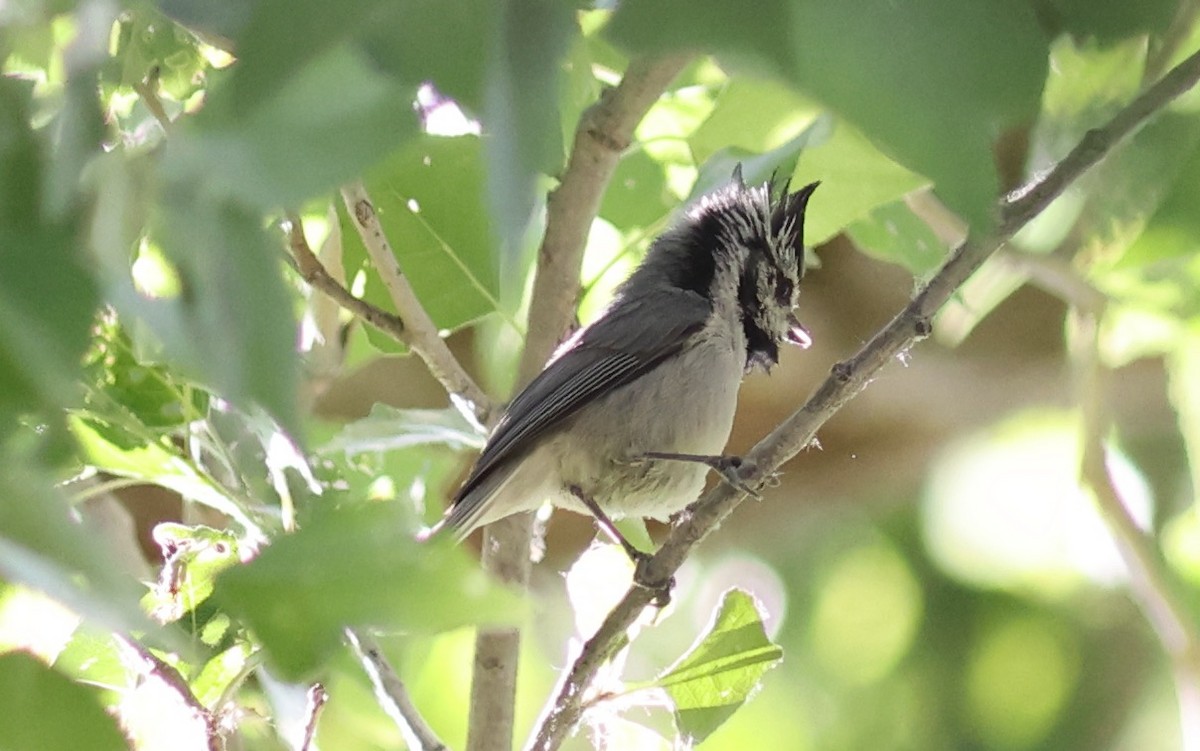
point(629, 341)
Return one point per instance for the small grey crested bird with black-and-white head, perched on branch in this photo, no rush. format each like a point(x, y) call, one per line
point(634, 410)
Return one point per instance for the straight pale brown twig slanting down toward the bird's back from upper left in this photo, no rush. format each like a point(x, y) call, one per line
point(422, 335)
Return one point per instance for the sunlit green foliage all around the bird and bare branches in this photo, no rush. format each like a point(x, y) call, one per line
point(154, 338)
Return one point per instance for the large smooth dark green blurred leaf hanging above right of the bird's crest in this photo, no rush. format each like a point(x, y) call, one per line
point(932, 82)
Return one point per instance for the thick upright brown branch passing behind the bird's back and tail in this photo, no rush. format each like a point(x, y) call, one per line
point(604, 134)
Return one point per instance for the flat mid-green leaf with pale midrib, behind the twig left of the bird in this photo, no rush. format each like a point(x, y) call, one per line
point(430, 201)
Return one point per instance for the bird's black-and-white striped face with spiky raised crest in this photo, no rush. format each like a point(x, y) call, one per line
point(766, 226)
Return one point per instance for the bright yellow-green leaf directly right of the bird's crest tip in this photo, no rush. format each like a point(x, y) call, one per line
point(856, 179)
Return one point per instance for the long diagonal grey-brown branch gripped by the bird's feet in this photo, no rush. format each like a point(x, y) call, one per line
point(848, 380)
